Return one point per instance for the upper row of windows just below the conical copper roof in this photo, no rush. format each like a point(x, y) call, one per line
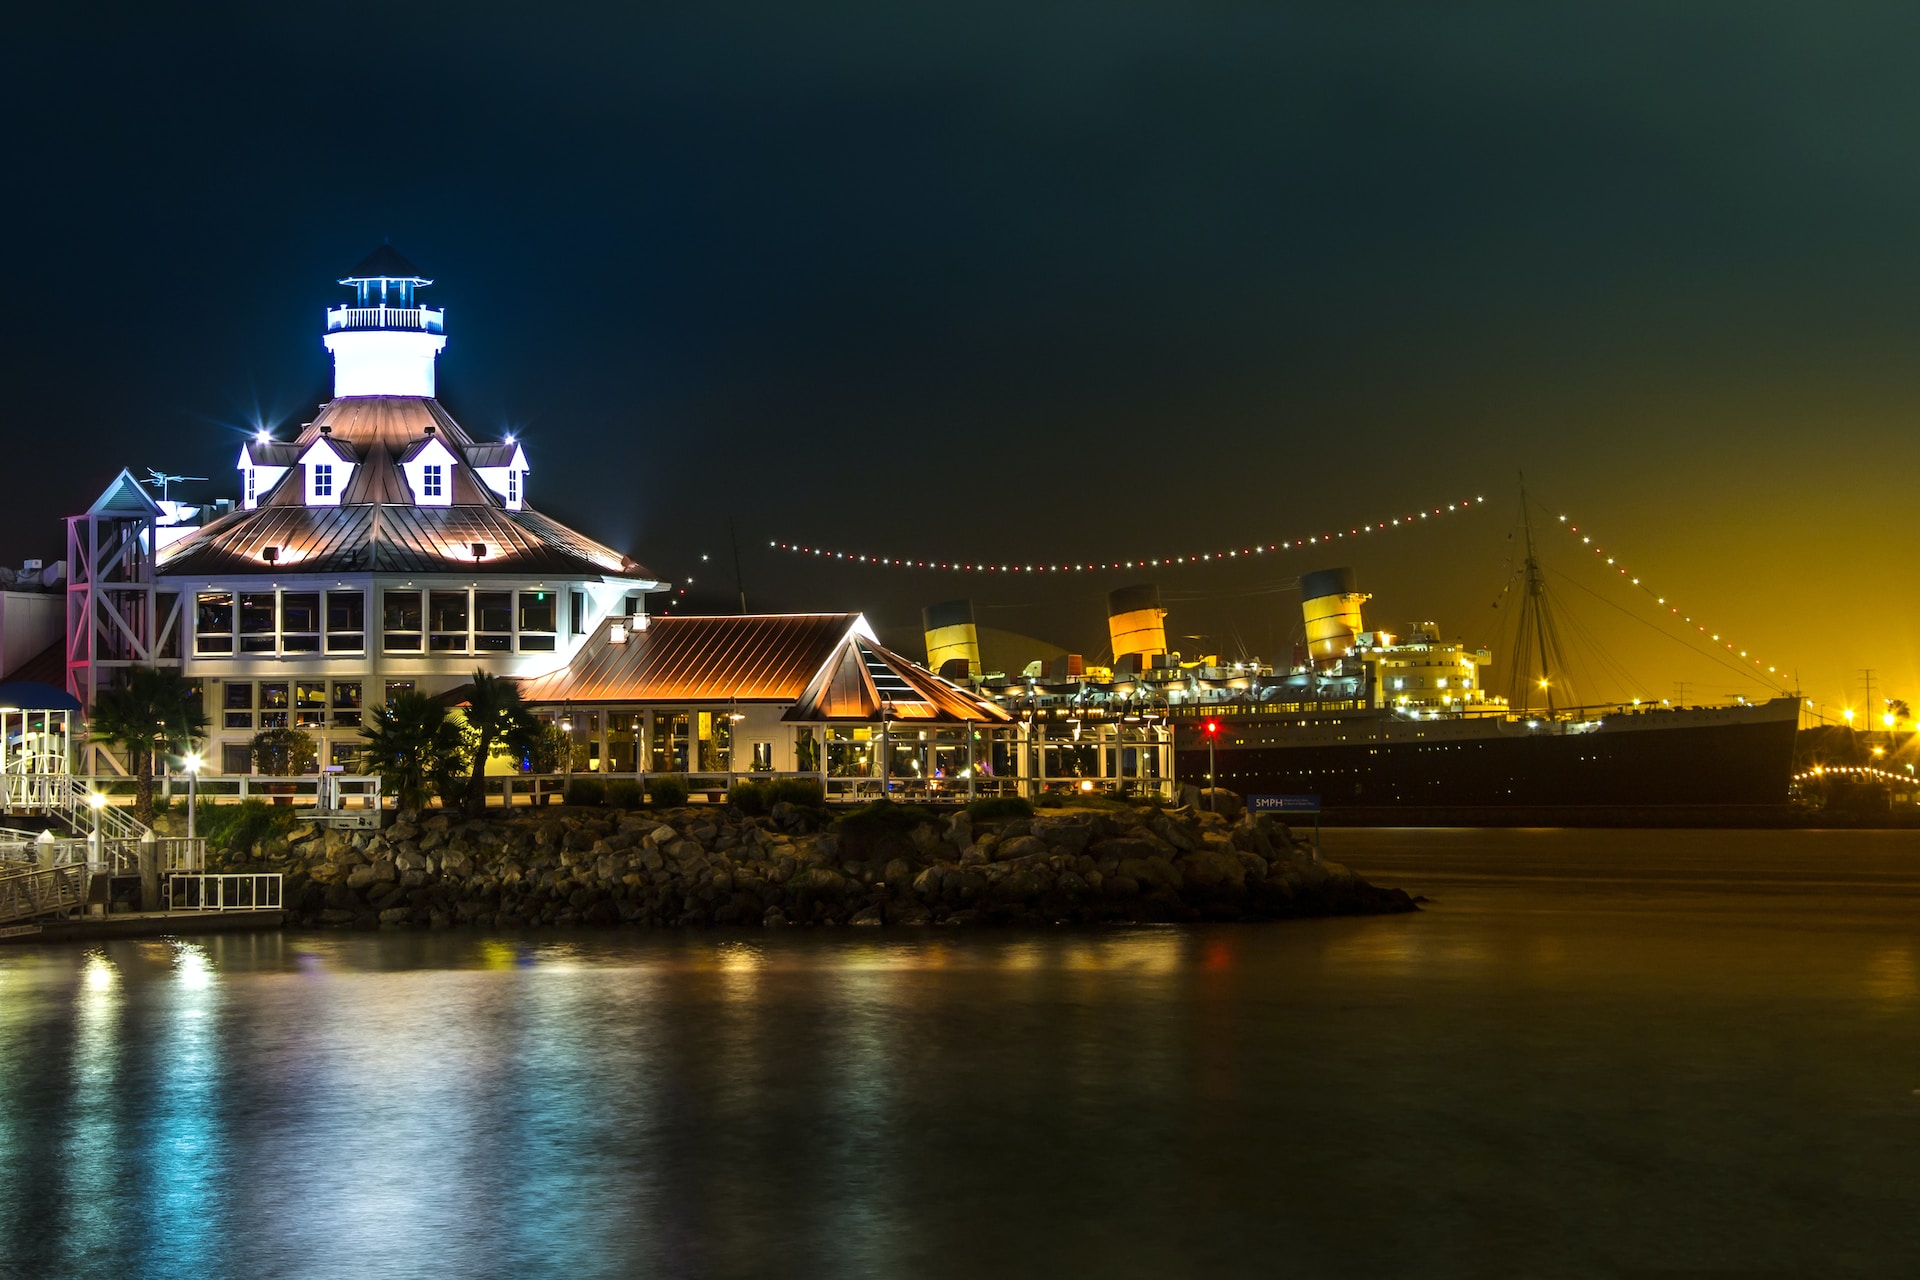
point(458, 621)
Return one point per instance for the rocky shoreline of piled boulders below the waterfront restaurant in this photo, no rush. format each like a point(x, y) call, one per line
point(802, 866)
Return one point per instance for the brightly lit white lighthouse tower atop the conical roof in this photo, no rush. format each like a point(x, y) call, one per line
point(385, 343)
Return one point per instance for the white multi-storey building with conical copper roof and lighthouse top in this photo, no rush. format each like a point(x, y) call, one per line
point(379, 550)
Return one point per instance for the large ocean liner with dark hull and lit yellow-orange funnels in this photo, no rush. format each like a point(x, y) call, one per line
point(1378, 721)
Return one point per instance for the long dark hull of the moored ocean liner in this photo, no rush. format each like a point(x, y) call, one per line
point(1721, 757)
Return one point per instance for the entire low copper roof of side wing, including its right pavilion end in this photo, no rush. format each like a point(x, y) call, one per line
point(819, 663)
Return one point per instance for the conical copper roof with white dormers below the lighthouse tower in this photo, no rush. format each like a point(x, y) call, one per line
point(377, 525)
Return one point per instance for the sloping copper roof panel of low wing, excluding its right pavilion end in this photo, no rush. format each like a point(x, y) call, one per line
point(752, 659)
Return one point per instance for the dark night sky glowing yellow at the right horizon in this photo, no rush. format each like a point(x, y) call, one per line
point(1040, 283)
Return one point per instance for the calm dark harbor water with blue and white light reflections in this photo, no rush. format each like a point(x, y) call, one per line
point(1596, 1055)
